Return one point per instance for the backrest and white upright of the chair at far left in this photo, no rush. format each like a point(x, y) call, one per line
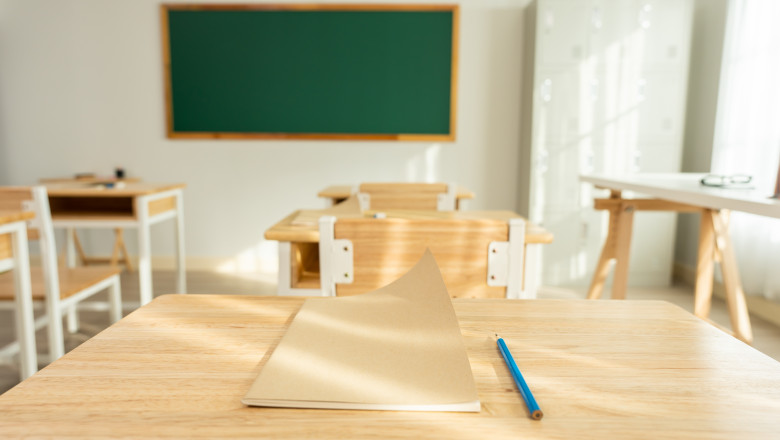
point(40, 228)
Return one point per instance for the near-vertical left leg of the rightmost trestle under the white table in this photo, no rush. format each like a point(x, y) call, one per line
point(704, 265)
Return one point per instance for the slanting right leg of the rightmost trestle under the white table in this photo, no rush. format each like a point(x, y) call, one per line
point(735, 296)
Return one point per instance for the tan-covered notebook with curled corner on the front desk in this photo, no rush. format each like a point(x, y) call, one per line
point(397, 348)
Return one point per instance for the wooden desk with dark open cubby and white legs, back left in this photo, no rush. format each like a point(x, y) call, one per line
point(135, 205)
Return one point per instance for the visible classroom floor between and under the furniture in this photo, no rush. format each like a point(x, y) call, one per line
point(766, 335)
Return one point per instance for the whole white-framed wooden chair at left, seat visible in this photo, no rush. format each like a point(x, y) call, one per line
point(60, 289)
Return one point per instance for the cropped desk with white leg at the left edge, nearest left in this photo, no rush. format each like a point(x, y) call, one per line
point(14, 256)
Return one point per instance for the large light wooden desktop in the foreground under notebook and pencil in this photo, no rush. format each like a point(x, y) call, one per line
point(178, 367)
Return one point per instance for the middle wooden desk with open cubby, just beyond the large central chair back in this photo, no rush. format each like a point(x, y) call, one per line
point(299, 252)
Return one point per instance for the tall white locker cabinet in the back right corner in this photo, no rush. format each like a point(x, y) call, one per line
point(609, 92)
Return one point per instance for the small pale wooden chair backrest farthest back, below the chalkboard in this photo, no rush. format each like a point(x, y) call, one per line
point(415, 196)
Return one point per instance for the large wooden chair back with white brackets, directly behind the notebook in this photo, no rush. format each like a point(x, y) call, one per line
point(478, 258)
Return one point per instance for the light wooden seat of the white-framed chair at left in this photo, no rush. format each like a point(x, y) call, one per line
point(72, 281)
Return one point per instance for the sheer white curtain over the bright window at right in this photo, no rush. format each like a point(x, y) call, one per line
point(747, 133)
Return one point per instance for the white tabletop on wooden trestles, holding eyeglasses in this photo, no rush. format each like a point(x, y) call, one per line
point(686, 188)
